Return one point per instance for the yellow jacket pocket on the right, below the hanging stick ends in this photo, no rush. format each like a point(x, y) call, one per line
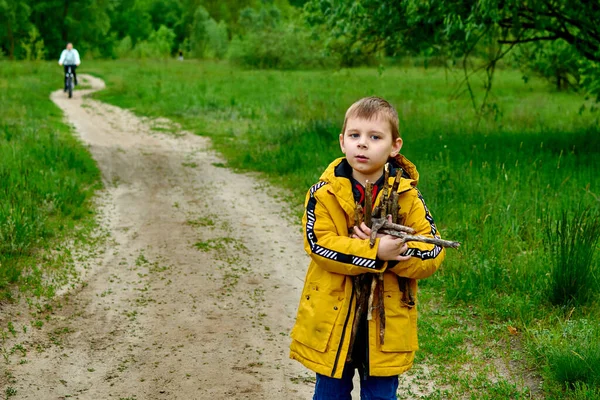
point(400, 324)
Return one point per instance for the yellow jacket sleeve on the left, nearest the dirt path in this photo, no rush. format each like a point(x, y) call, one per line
point(330, 248)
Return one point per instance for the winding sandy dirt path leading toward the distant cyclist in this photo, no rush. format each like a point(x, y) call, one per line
point(193, 295)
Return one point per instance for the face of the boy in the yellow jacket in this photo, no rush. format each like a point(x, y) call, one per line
point(367, 145)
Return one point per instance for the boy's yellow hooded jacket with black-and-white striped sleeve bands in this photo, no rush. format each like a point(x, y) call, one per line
point(321, 334)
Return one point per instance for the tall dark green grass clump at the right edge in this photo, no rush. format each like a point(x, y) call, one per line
point(572, 241)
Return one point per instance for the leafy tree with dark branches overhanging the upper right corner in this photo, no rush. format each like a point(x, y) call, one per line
point(461, 28)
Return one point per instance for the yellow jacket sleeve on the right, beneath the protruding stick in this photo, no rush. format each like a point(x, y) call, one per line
point(426, 258)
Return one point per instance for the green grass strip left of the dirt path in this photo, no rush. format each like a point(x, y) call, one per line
point(46, 180)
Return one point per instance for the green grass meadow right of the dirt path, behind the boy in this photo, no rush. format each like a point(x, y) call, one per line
point(495, 184)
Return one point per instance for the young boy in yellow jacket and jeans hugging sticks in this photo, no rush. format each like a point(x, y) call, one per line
point(324, 337)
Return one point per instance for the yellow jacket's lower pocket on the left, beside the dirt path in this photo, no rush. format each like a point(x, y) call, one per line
point(317, 315)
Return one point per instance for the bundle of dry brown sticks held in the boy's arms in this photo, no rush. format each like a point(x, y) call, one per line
point(384, 219)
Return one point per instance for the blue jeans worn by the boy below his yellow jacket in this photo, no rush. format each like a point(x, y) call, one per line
point(371, 387)
